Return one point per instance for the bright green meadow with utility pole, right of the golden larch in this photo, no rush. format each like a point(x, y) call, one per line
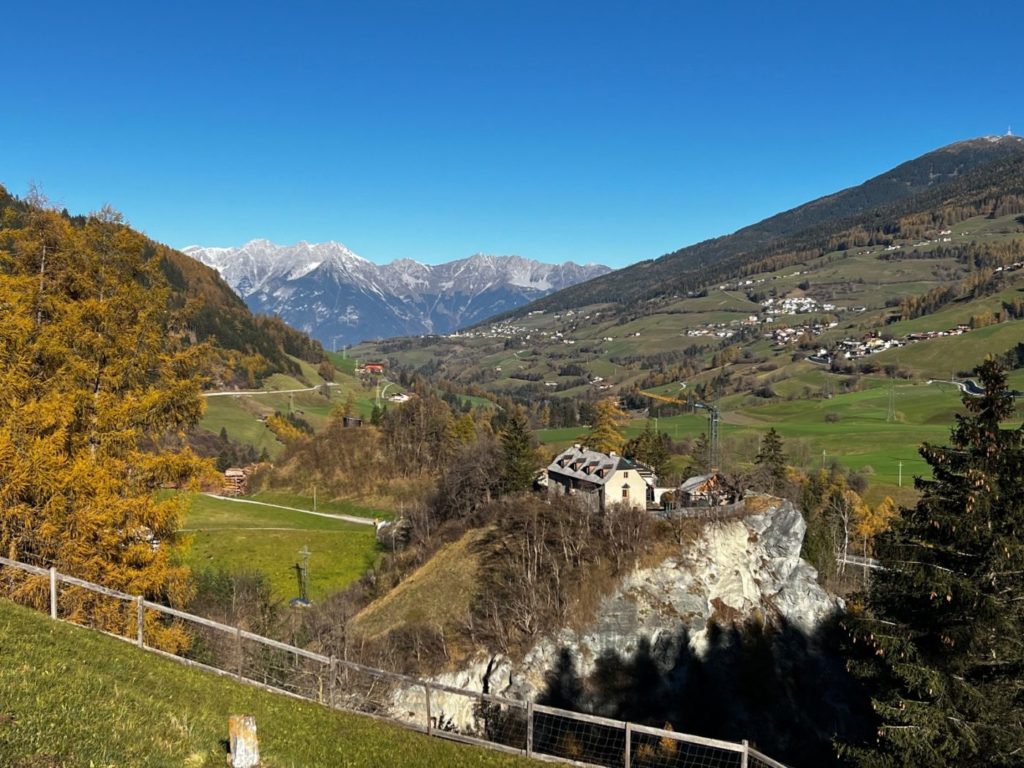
point(246, 537)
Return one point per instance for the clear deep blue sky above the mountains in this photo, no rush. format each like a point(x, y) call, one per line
point(592, 132)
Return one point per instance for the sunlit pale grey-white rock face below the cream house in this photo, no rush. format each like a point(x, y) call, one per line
point(738, 570)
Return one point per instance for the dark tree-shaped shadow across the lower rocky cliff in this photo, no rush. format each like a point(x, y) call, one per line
point(787, 693)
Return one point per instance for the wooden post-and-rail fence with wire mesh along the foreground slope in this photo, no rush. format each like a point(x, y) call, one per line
point(520, 728)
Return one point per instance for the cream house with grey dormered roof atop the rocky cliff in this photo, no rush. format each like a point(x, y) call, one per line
point(605, 479)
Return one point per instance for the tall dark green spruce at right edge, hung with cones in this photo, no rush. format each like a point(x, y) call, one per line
point(946, 617)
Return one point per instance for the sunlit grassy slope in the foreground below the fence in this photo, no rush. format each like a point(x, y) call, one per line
point(73, 698)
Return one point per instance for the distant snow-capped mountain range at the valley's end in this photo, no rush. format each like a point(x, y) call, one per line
point(342, 298)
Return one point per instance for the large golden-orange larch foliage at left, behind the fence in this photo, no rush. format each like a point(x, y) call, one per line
point(97, 387)
